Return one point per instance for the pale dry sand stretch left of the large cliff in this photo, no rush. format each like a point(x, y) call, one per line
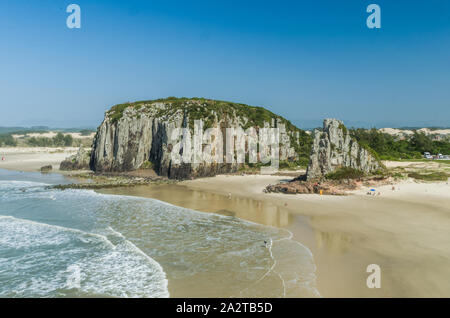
point(33, 158)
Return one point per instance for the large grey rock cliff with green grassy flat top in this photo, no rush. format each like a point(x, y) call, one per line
point(134, 134)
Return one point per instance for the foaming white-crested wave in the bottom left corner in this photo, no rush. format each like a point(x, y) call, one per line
point(37, 260)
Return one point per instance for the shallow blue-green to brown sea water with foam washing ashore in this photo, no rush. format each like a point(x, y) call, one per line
point(79, 243)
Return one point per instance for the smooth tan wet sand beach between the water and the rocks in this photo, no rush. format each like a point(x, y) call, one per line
point(405, 232)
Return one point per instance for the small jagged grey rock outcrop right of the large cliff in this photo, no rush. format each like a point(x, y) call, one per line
point(334, 148)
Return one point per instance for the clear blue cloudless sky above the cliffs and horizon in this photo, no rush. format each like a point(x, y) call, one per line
point(304, 60)
